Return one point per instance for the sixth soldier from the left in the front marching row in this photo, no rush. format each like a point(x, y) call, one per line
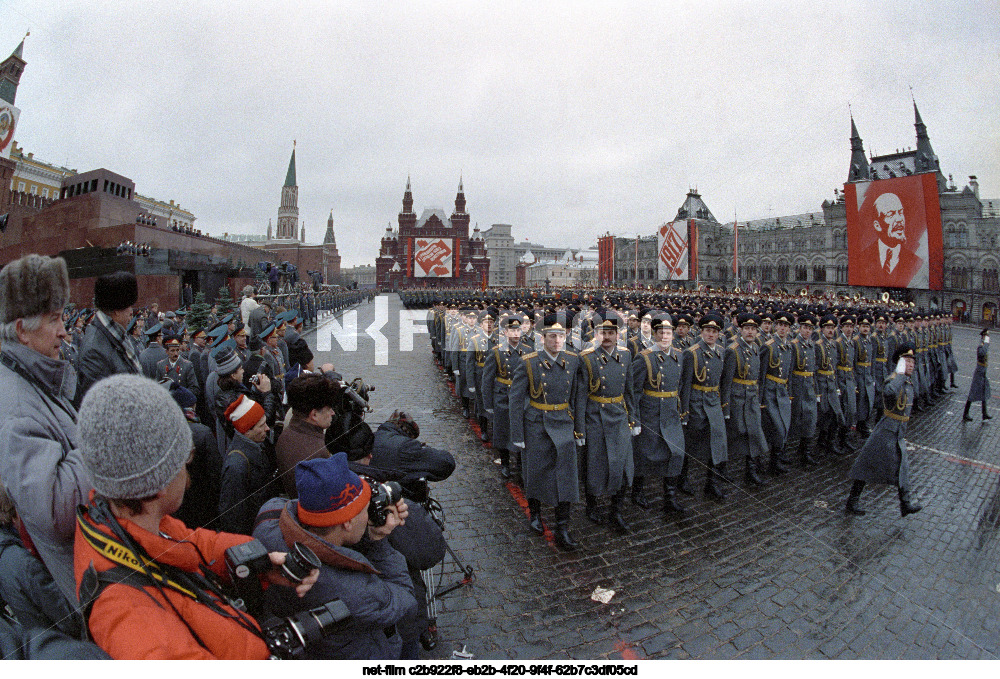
point(776, 403)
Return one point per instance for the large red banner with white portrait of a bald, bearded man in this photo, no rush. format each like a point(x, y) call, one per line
point(894, 233)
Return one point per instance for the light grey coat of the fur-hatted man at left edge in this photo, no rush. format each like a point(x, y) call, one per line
point(40, 463)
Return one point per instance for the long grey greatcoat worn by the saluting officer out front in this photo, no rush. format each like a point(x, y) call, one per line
point(883, 459)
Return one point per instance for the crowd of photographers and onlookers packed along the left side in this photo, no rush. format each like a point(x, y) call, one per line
point(181, 485)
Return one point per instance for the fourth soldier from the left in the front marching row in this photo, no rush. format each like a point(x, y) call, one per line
point(701, 406)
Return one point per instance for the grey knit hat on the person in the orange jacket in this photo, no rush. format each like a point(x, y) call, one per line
point(134, 437)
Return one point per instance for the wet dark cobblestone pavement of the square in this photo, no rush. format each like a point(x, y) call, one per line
point(777, 572)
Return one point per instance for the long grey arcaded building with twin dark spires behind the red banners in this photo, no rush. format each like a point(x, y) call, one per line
point(809, 251)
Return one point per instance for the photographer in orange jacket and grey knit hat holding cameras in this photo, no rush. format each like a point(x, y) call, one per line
point(150, 586)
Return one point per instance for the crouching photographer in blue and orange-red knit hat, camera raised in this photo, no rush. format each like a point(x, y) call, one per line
point(344, 520)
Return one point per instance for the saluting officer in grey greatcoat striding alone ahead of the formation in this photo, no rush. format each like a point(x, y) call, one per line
point(883, 457)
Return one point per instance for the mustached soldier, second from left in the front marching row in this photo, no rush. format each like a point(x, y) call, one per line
point(609, 424)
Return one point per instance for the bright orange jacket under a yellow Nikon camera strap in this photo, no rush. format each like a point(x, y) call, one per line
point(130, 625)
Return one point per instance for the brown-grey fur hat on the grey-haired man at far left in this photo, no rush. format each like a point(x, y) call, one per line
point(31, 286)
